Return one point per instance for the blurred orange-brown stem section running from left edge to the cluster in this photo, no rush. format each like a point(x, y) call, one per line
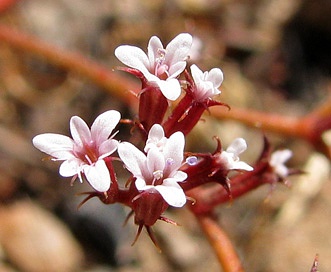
point(100, 75)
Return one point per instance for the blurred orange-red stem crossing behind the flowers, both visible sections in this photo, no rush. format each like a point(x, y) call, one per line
point(309, 127)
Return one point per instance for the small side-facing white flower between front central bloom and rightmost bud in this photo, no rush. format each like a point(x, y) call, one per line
point(231, 156)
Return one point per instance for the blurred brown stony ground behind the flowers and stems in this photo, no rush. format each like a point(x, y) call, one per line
point(276, 57)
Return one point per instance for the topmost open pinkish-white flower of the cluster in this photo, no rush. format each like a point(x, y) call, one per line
point(161, 65)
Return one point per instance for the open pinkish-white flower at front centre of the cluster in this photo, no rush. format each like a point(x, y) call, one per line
point(158, 169)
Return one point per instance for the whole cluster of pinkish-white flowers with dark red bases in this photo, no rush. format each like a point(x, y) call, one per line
point(162, 173)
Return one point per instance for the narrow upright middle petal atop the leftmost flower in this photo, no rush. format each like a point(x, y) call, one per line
point(80, 131)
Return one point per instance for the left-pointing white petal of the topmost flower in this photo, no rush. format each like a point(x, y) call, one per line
point(133, 57)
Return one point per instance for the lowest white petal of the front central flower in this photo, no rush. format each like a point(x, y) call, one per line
point(172, 193)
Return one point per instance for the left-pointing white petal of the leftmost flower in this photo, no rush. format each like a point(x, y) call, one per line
point(55, 145)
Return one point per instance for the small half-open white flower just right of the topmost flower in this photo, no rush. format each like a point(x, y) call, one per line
point(207, 83)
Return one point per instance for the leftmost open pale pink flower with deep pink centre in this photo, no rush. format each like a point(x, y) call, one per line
point(84, 153)
